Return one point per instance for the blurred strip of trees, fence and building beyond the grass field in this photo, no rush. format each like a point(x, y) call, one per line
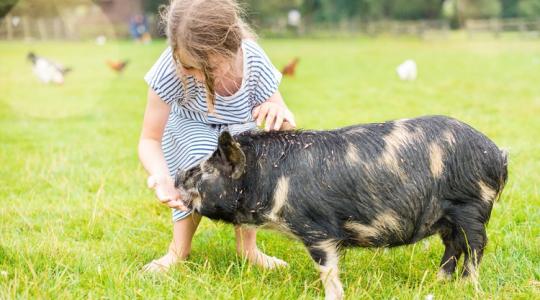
point(82, 19)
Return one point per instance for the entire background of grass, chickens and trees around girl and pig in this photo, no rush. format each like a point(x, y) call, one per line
point(76, 218)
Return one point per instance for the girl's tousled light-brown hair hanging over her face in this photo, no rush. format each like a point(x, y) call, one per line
point(201, 28)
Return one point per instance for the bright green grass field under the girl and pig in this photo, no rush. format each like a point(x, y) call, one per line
point(76, 220)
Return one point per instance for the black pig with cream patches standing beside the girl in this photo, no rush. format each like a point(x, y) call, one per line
point(373, 185)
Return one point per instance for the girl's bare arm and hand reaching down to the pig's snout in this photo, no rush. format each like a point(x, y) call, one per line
point(151, 155)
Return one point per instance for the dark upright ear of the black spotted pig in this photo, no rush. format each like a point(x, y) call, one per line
point(232, 154)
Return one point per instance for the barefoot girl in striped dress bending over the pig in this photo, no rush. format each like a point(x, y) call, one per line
point(213, 77)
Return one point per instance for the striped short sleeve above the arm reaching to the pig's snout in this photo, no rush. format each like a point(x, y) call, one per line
point(163, 79)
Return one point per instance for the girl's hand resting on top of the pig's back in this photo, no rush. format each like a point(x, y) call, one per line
point(274, 116)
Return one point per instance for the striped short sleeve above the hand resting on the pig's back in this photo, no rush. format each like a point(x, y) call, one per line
point(266, 77)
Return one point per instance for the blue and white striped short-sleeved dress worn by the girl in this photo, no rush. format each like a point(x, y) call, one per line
point(191, 133)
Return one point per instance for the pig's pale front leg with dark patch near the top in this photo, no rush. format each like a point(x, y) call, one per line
point(326, 257)
